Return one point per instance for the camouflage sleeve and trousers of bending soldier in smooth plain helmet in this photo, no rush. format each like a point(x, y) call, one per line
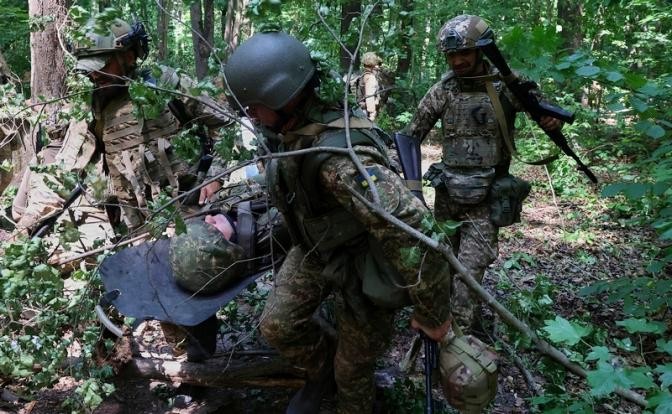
point(364, 329)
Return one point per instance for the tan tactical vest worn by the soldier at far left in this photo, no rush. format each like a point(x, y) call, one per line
point(140, 148)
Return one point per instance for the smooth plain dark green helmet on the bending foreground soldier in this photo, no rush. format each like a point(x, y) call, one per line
point(269, 69)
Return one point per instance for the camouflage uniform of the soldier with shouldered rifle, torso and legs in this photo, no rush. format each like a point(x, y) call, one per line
point(450, 101)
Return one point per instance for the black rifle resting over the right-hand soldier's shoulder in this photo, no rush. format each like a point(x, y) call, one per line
point(536, 109)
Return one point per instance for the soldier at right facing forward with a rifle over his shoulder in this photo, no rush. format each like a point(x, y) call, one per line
point(477, 114)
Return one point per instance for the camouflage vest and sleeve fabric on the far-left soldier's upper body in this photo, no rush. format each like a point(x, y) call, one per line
point(137, 151)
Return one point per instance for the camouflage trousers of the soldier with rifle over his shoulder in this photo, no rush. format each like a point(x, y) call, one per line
point(475, 246)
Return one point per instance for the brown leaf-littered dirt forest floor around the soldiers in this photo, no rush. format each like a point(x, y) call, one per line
point(542, 235)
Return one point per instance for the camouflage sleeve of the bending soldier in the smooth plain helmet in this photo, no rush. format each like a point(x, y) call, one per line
point(428, 279)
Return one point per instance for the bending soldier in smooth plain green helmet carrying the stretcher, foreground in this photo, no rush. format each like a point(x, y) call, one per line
point(340, 245)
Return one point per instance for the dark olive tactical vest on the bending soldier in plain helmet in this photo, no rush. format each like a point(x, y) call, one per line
point(314, 218)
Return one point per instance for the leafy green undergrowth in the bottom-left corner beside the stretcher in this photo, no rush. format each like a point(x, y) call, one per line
point(39, 325)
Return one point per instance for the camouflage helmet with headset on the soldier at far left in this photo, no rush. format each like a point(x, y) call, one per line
point(121, 36)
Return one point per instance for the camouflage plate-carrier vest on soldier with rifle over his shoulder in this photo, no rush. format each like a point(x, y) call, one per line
point(472, 135)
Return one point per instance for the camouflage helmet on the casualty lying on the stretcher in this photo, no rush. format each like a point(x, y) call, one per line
point(203, 261)
